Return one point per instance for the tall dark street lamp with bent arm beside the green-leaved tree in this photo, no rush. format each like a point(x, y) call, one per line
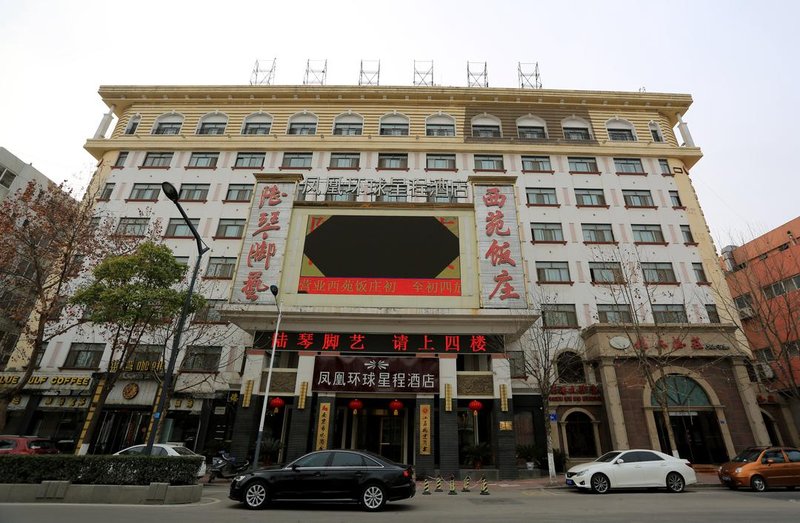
point(172, 194)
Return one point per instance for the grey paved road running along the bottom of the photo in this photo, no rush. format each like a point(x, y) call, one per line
point(503, 505)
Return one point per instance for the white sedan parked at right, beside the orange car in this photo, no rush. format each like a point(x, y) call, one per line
point(638, 468)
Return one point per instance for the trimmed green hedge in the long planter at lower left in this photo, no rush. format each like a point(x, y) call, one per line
point(100, 470)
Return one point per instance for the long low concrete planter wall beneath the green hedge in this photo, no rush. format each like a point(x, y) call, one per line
point(66, 492)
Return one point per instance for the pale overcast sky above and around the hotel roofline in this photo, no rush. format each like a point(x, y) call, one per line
point(737, 59)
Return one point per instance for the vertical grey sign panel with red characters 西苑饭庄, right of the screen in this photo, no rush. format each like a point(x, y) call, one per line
point(499, 249)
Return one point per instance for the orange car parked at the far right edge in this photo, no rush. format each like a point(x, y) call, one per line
point(761, 468)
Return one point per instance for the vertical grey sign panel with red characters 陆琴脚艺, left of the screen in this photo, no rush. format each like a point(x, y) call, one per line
point(264, 245)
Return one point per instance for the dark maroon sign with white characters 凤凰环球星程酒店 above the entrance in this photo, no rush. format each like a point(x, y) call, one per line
point(390, 375)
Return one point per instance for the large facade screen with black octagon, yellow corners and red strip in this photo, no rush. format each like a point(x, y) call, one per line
point(381, 255)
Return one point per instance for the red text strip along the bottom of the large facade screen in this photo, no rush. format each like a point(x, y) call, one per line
point(380, 286)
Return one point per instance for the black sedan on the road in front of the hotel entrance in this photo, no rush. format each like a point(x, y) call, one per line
point(328, 476)
